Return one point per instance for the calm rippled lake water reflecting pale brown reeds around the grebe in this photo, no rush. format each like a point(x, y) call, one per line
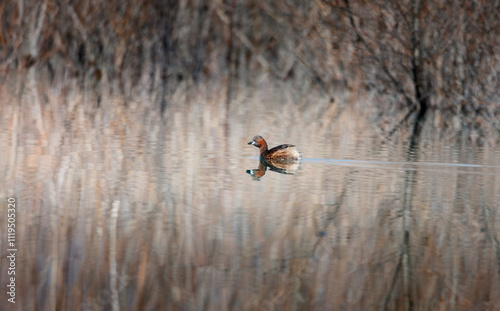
point(118, 208)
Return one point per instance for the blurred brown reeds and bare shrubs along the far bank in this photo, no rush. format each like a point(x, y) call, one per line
point(405, 58)
